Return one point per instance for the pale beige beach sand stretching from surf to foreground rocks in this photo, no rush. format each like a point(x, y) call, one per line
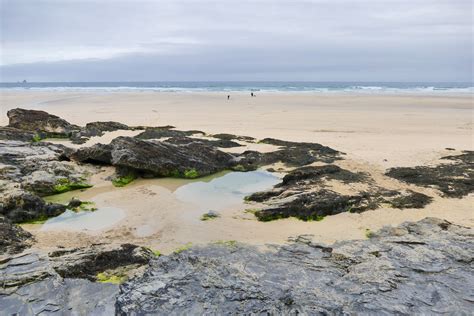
point(376, 132)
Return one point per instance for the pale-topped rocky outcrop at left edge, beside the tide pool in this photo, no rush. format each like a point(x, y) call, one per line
point(29, 170)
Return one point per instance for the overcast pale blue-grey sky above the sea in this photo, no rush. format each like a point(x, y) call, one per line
point(236, 40)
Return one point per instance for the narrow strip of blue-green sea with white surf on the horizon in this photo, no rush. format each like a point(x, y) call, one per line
point(254, 86)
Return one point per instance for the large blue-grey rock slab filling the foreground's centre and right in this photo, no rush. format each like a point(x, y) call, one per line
point(417, 268)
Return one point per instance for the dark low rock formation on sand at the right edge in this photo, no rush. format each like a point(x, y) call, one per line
point(454, 179)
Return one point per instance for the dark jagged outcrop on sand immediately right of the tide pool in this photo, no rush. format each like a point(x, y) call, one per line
point(303, 194)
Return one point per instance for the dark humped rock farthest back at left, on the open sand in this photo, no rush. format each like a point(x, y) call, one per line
point(40, 122)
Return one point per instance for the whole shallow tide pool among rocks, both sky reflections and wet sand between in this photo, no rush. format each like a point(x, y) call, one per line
point(218, 192)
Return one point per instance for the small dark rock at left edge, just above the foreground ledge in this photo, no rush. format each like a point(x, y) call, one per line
point(13, 238)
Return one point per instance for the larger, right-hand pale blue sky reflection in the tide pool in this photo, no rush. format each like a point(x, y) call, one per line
point(227, 190)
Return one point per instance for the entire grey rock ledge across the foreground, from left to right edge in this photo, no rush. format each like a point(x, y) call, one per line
point(416, 268)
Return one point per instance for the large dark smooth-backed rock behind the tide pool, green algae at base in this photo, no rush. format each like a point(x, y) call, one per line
point(157, 158)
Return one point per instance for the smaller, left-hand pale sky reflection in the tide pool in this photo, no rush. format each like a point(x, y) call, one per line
point(96, 220)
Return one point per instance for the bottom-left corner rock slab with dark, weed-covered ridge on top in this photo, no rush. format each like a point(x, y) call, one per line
point(33, 283)
